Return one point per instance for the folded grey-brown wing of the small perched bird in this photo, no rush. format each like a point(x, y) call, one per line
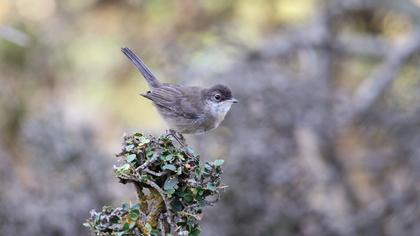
point(172, 98)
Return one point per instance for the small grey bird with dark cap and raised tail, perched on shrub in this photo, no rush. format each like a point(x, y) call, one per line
point(189, 110)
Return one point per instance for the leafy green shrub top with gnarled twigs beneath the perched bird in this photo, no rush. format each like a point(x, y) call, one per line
point(172, 188)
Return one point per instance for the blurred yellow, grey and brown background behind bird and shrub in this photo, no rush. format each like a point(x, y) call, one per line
point(325, 140)
